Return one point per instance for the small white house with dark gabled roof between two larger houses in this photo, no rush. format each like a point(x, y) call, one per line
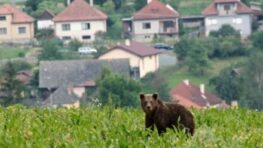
point(45, 20)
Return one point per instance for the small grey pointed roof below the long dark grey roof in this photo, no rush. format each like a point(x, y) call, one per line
point(60, 97)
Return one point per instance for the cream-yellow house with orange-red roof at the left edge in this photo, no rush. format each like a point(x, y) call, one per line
point(15, 25)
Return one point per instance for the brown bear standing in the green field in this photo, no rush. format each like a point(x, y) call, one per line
point(165, 115)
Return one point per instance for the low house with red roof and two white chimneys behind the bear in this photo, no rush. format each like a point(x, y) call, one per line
point(190, 95)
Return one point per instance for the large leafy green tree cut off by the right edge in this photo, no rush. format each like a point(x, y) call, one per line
point(252, 84)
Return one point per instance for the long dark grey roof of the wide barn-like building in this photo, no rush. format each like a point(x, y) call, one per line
point(53, 74)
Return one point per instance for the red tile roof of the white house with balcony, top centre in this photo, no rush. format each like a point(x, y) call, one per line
point(155, 10)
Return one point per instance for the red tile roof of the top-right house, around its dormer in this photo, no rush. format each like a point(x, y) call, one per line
point(212, 10)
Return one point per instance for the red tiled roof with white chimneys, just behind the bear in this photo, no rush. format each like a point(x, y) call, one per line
point(193, 94)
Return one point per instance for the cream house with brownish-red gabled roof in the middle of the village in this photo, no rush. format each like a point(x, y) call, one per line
point(143, 58)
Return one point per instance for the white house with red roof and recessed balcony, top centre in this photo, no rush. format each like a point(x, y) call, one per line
point(155, 19)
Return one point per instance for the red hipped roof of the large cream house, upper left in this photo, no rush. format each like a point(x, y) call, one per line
point(80, 10)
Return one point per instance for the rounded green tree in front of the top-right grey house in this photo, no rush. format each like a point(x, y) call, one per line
point(225, 31)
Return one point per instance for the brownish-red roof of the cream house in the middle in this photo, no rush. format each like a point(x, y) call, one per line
point(137, 48)
